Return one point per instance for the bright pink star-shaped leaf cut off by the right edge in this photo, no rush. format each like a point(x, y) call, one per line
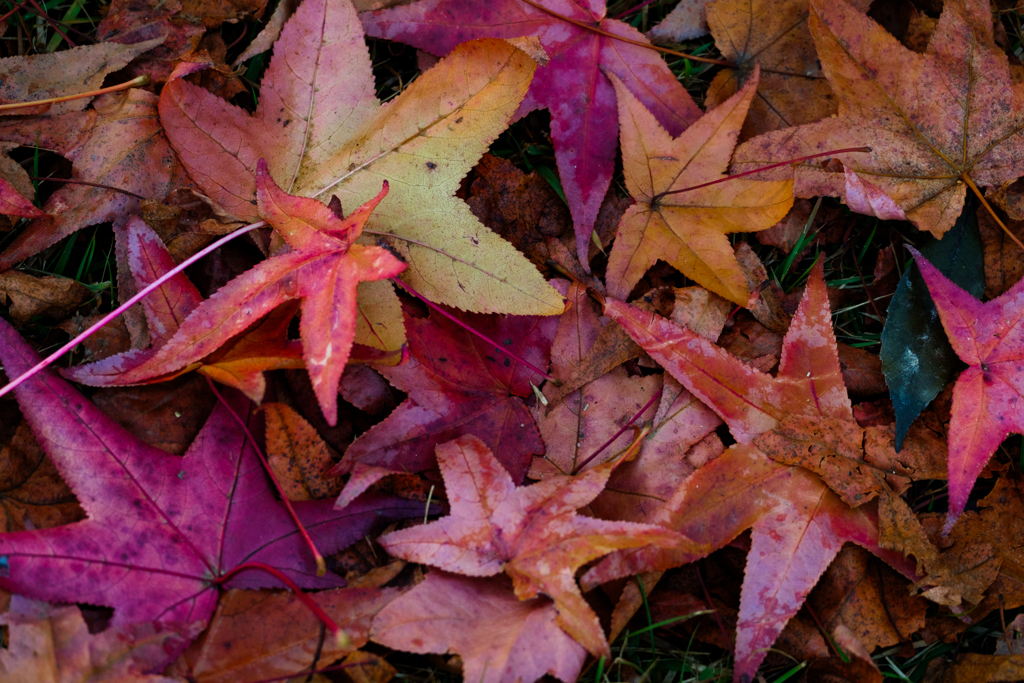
point(987, 408)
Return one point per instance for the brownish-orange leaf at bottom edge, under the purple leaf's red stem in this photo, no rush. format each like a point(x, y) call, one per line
point(257, 635)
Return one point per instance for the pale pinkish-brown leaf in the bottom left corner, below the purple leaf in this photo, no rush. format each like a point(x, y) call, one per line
point(49, 644)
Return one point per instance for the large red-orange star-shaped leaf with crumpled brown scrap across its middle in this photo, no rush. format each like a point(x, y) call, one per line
point(798, 523)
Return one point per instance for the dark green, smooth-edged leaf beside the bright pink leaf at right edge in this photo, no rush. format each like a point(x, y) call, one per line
point(917, 359)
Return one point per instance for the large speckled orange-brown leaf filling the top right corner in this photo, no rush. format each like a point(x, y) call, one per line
point(936, 123)
